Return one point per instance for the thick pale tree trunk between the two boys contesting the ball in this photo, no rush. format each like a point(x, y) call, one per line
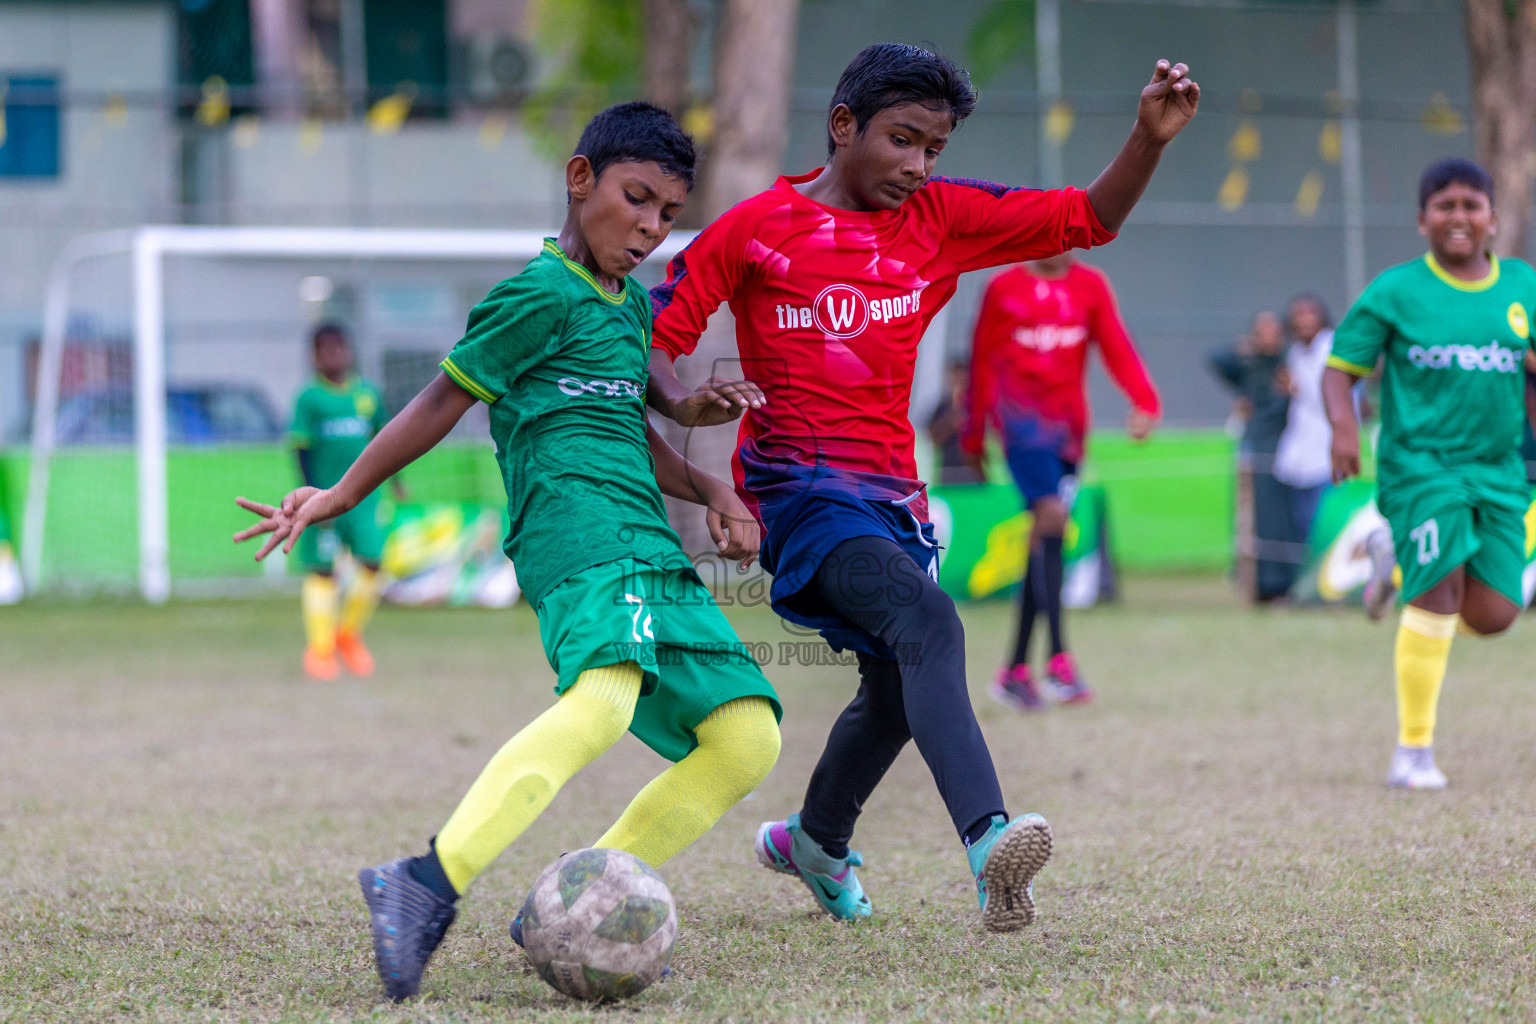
point(753, 62)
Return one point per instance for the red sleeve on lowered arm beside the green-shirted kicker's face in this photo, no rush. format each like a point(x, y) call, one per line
point(700, 279)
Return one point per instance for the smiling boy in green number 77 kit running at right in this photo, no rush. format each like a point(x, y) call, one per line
point(1454, 332)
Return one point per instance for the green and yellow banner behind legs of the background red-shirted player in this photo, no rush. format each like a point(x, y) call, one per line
point(985, 544)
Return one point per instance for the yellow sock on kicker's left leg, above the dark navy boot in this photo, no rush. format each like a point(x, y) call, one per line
point(526, 775)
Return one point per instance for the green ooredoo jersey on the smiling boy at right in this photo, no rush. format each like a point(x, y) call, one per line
point(1454, 386)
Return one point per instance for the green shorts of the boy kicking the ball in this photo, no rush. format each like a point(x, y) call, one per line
point(670, 626)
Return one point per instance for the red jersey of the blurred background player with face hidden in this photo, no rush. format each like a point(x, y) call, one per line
point(1030, 358)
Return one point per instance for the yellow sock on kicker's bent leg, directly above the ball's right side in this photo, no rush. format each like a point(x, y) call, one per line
point(738, 747)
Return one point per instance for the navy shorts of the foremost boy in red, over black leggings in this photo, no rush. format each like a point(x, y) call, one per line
point(801, 538)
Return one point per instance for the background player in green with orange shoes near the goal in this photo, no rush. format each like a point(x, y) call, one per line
point(334, 420)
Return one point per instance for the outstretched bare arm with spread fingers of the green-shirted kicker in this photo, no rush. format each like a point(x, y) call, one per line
point(420, 426)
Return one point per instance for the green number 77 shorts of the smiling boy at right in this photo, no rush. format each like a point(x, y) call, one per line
point(1446, 517)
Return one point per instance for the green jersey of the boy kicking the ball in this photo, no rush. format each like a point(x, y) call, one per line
point(563, 365)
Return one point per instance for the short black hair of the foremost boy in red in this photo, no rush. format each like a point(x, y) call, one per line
point(892, 74)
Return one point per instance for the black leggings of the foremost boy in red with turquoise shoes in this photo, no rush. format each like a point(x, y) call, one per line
point(922, 696)
